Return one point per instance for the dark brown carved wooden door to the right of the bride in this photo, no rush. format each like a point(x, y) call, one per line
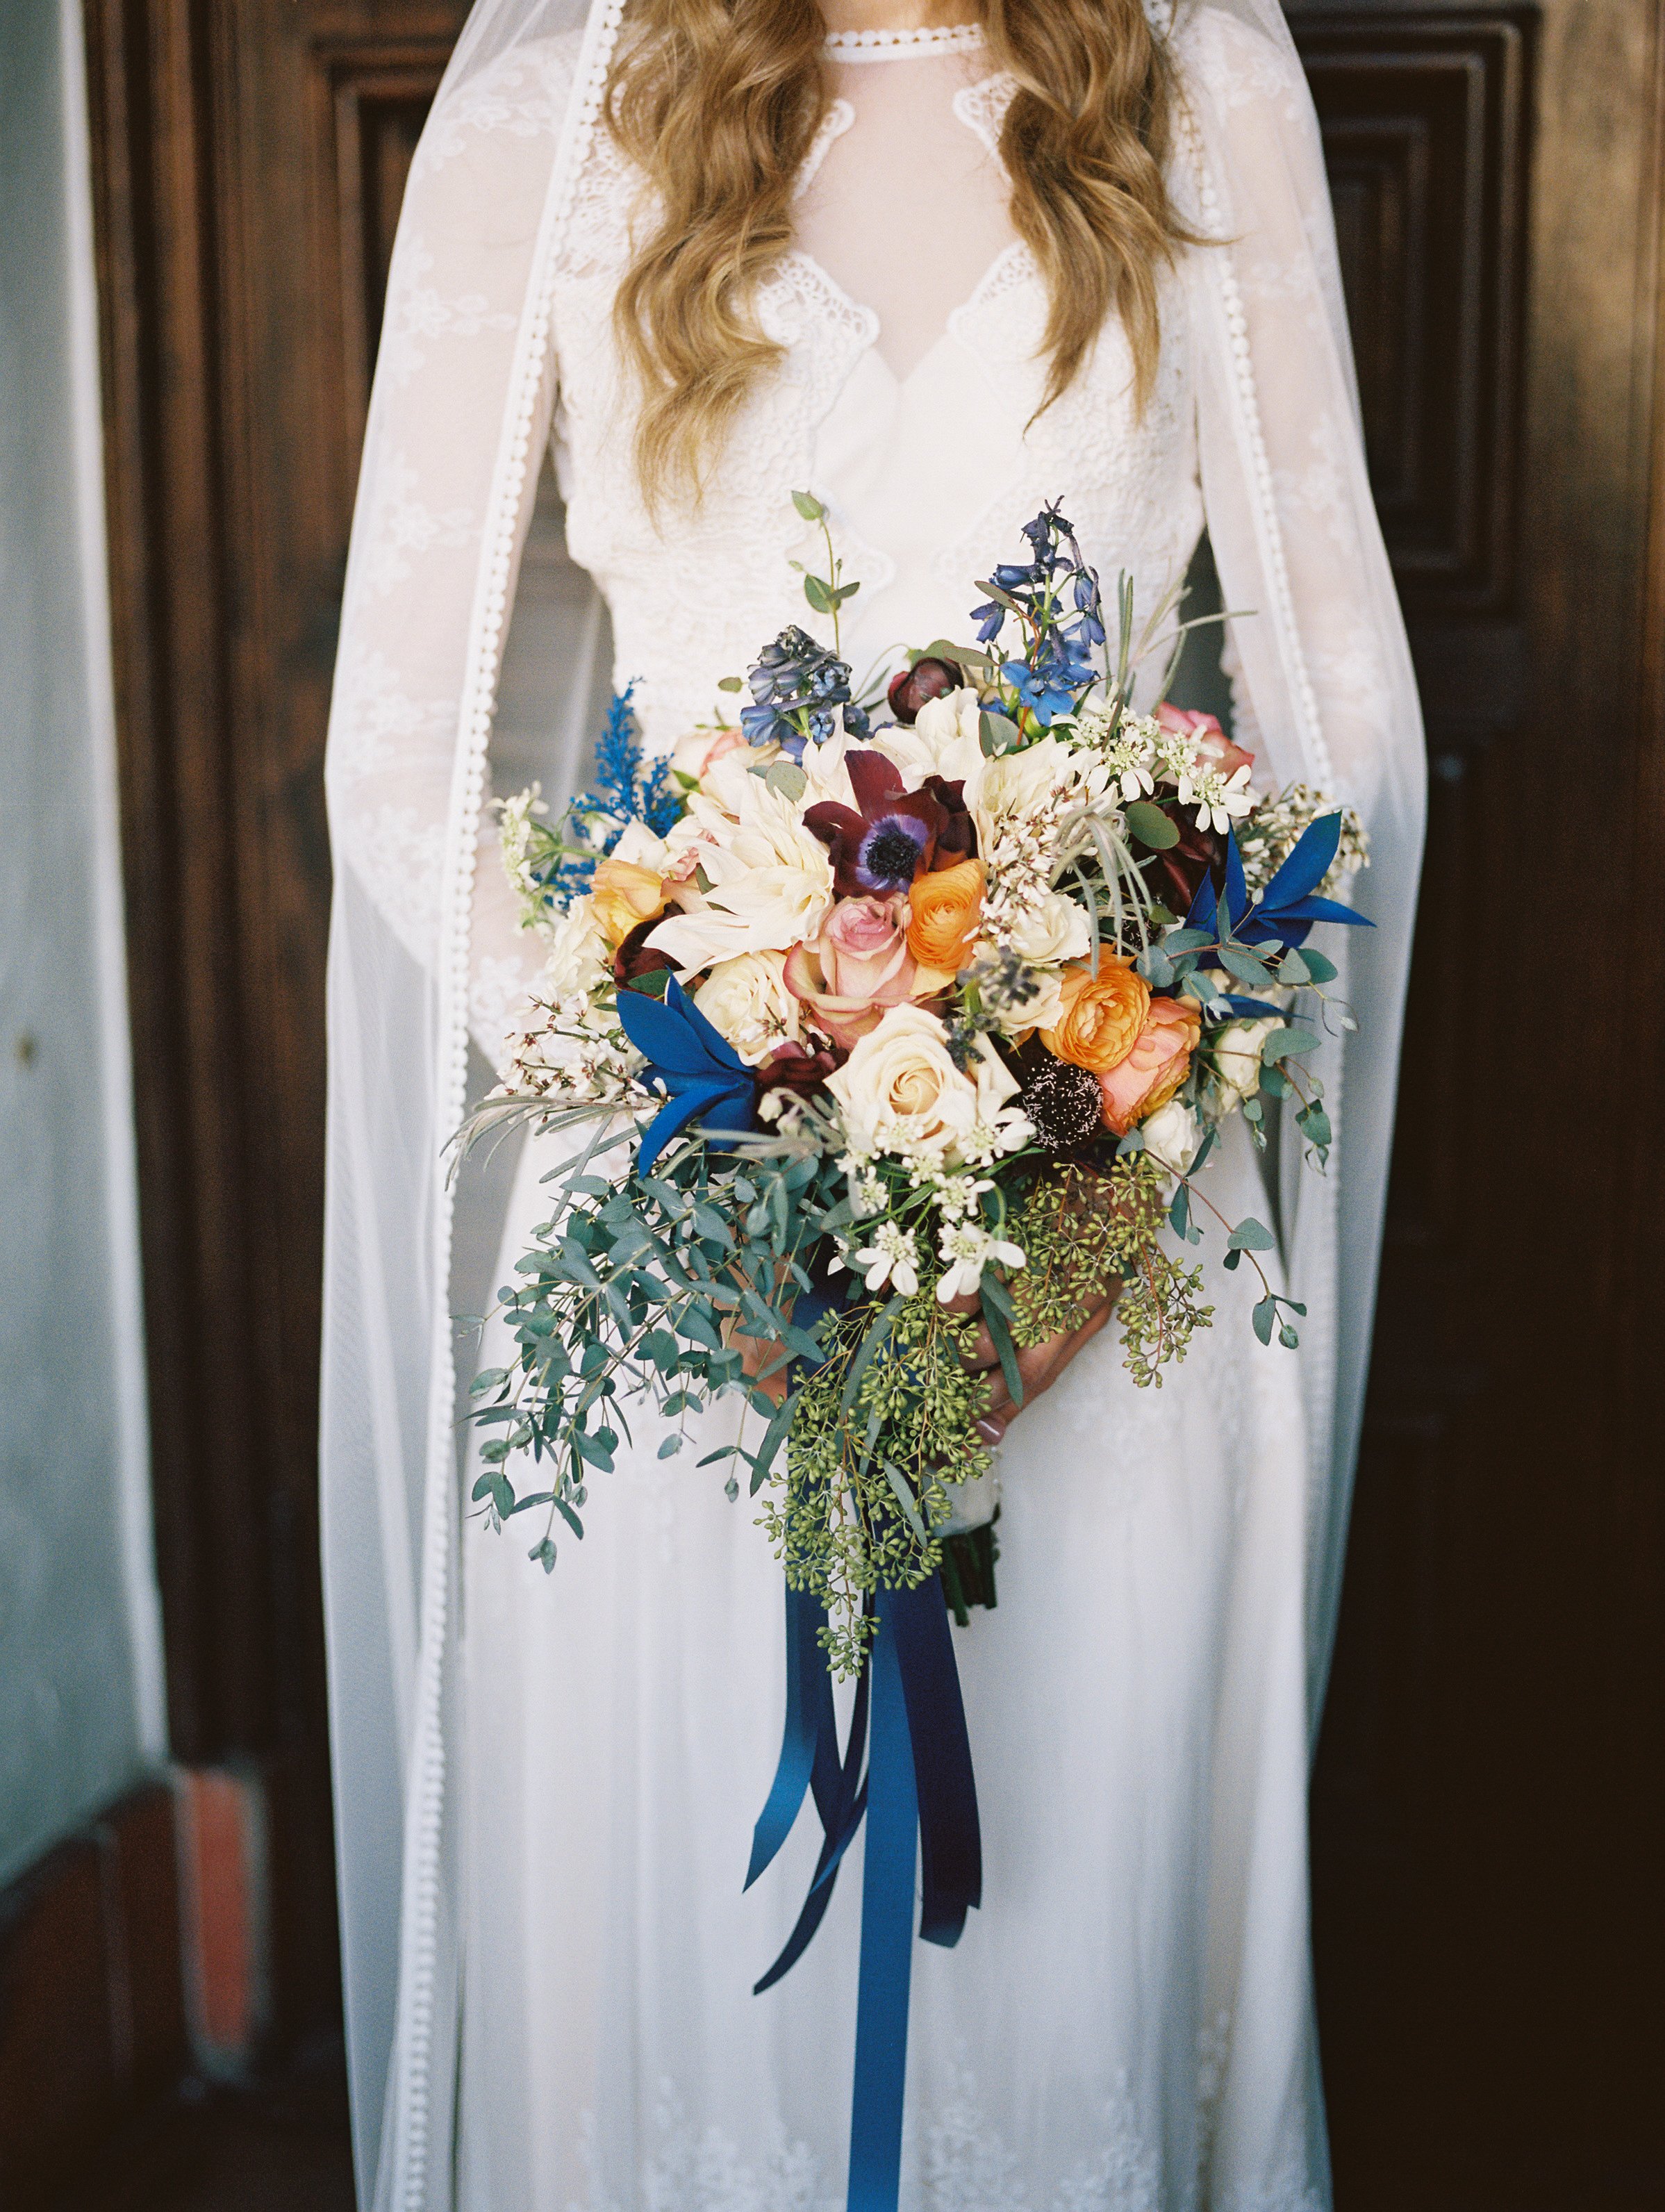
point(1487, 1811)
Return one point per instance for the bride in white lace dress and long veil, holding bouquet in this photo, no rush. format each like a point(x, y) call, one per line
point(936, 264)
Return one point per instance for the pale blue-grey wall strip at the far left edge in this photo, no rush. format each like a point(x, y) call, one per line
point(81, 1673)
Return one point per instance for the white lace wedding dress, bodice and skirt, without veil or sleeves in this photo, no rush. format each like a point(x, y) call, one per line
point(1127, 2025)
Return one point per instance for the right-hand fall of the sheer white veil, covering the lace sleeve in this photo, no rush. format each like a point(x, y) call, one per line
point(1321, 660)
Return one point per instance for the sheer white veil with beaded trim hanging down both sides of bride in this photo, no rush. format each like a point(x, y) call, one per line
point(423, 957)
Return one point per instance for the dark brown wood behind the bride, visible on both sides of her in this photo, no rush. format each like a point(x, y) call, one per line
point(1487, 1815)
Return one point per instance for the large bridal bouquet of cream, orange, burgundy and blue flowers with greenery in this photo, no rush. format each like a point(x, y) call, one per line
point(866, 1008)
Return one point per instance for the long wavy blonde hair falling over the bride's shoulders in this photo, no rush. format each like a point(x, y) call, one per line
point(718, 105)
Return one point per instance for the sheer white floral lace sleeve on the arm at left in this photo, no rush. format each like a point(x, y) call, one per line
point(472, 209)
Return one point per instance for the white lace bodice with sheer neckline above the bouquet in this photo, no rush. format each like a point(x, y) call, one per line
point(917, 421)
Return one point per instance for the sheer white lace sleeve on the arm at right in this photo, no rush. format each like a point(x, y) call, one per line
point(1308, 543)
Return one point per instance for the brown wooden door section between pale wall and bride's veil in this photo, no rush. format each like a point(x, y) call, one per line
point(249, 169)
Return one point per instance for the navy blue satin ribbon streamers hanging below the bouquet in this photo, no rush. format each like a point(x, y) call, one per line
point(919, 1786)
